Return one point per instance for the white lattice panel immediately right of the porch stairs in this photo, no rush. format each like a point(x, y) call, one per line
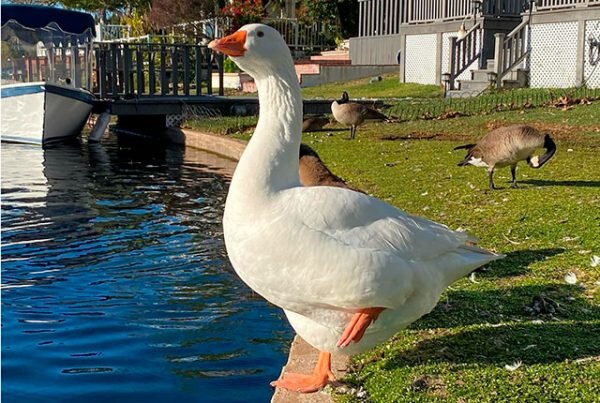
point(553, 55)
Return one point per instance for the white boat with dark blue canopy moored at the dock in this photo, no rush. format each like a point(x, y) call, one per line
point(46, 77)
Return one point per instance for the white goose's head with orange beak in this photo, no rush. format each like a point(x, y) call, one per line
point(257, 49)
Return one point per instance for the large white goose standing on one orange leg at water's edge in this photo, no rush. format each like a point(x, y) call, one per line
point(348, 269)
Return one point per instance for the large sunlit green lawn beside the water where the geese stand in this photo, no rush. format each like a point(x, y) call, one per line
point(547, 228)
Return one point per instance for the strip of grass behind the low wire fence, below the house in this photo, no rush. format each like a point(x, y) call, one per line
point(389, 87)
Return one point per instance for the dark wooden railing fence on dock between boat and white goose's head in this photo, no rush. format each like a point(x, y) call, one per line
point(155, 69)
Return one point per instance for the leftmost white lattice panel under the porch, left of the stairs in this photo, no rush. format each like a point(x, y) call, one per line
point(420, 59)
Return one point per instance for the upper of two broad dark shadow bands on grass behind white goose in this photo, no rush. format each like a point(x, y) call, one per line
point(470, 307)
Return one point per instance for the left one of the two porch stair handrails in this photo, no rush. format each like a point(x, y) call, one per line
point(464, 51)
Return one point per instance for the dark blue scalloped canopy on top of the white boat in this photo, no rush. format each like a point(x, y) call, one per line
point(29, 16)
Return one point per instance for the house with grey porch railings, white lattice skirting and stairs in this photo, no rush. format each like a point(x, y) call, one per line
point(468, 44)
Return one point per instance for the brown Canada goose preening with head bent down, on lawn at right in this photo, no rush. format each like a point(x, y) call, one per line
point(506, 146)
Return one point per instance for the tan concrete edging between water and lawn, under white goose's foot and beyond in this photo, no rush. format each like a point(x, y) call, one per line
point(302, 357)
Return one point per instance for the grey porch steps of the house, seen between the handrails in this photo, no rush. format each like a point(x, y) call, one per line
point(479, 82)
